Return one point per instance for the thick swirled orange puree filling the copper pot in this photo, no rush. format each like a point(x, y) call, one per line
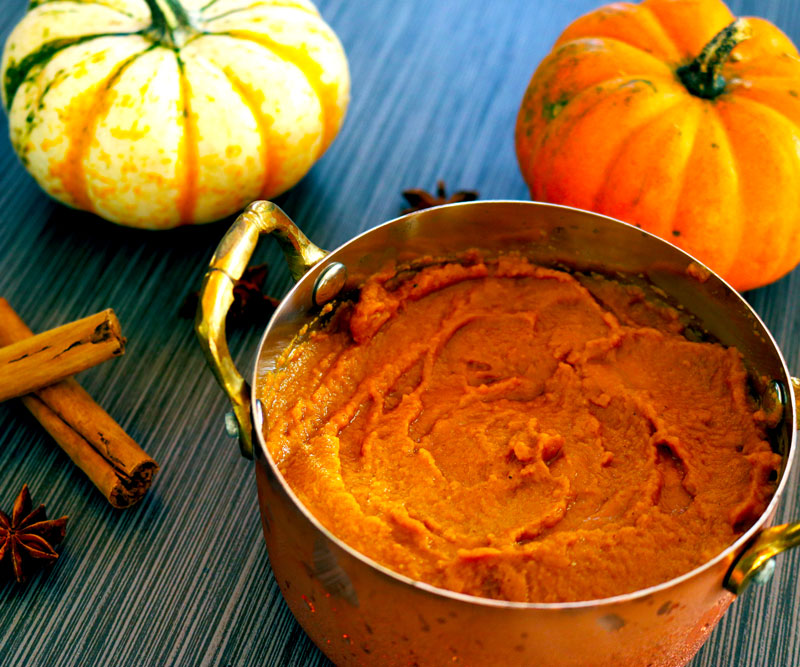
point(515, 432)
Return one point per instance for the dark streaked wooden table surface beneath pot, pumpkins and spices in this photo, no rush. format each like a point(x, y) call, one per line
point(183, 578)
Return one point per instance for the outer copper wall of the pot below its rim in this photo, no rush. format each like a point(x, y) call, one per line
point(360, 614)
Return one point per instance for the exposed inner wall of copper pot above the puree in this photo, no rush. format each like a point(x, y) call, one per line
point(561, 237)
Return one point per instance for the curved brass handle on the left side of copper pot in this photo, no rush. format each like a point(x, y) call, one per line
point(216, 296)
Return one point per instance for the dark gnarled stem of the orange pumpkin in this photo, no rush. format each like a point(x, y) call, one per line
point(702, 77)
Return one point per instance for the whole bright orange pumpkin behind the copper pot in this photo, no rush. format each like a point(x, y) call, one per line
point(676, 117)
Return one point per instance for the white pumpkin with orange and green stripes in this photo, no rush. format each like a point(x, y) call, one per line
point(156, 113)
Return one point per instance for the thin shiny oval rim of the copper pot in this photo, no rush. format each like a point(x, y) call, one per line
point(640, 594)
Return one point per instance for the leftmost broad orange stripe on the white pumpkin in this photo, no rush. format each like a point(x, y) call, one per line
point(73, 176)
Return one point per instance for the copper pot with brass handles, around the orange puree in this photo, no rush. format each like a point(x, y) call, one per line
point(359, 612)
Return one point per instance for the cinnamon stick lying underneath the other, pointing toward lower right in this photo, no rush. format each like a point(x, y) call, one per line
point(99, 446)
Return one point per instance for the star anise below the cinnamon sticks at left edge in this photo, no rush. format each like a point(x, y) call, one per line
point(27, 538)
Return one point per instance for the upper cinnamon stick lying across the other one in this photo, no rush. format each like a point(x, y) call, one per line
point(32, 362)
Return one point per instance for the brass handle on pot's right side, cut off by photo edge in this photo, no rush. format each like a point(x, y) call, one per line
point(756, 561)
